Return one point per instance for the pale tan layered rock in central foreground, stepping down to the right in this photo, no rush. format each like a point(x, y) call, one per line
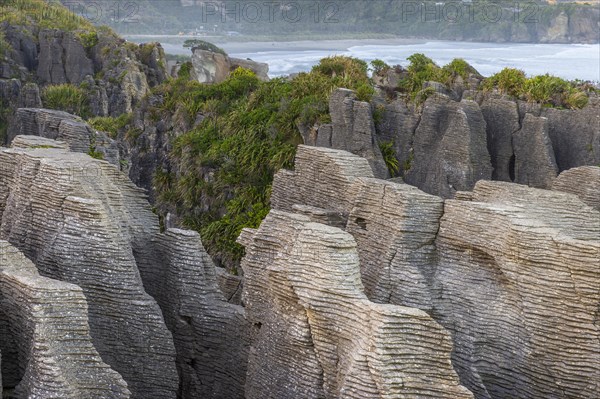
point(316, 333)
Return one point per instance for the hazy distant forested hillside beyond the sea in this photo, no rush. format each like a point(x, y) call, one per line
point(478, 20)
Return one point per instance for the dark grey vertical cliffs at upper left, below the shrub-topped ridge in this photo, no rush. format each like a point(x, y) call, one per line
point(116, 75)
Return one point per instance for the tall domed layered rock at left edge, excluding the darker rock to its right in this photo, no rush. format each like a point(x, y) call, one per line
point(82, 222)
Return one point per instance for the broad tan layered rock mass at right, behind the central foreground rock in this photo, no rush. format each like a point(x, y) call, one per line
point(511, 271)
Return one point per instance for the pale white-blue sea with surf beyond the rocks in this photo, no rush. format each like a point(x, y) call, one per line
point(569, 61)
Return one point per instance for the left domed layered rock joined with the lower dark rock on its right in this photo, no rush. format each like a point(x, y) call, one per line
point(155, 315)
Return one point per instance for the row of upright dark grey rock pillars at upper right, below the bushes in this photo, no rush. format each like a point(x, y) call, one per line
point(447, 145)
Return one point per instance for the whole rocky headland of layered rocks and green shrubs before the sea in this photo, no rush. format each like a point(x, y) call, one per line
point(358, 231)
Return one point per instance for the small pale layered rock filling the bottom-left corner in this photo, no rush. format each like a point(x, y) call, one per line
point(40, 359)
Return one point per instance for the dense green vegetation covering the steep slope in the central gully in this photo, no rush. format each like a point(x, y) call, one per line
point(225, 165)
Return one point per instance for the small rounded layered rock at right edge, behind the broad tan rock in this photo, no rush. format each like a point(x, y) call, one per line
point(583, 182)
